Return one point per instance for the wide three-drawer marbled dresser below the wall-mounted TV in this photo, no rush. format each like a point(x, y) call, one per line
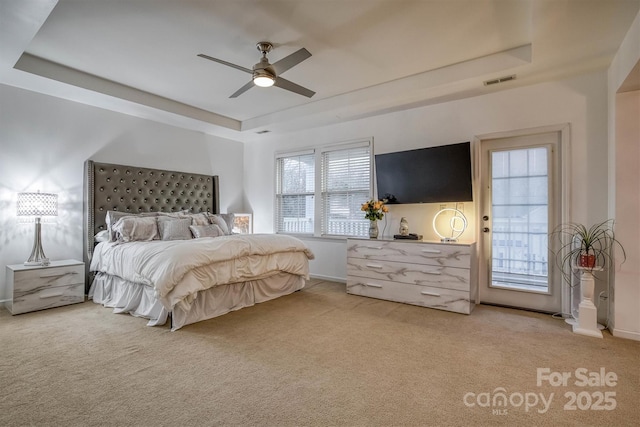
point(429, 274)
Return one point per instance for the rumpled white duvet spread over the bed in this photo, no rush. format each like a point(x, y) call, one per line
point(178, 269)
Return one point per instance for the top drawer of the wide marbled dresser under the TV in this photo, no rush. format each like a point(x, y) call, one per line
point(449, 255)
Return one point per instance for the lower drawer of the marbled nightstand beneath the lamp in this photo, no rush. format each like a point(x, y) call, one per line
point(47, 297)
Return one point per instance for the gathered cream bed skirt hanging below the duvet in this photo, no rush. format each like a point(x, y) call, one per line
point(139, 300)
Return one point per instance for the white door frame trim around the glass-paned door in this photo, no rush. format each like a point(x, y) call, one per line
point(564, 130)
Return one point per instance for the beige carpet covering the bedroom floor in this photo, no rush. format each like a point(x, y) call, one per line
point(318, 357)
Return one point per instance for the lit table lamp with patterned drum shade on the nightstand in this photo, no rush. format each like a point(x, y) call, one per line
point(37, 205)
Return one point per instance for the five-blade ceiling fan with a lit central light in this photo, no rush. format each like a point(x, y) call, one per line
point(266, 74)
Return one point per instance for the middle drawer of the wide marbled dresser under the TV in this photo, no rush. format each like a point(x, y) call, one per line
point(417, 274)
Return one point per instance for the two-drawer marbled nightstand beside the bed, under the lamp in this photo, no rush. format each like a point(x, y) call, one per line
point(40, 287)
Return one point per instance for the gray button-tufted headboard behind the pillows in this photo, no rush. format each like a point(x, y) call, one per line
point(134, 189)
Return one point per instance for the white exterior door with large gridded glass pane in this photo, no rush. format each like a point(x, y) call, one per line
point(519, 209)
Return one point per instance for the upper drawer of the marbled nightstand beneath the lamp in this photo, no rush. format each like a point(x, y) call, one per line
point(29, 280)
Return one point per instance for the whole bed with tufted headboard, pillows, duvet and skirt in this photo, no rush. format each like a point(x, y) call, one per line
point(157, 247)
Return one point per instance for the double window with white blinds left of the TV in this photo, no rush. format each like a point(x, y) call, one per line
point(344, 184)
